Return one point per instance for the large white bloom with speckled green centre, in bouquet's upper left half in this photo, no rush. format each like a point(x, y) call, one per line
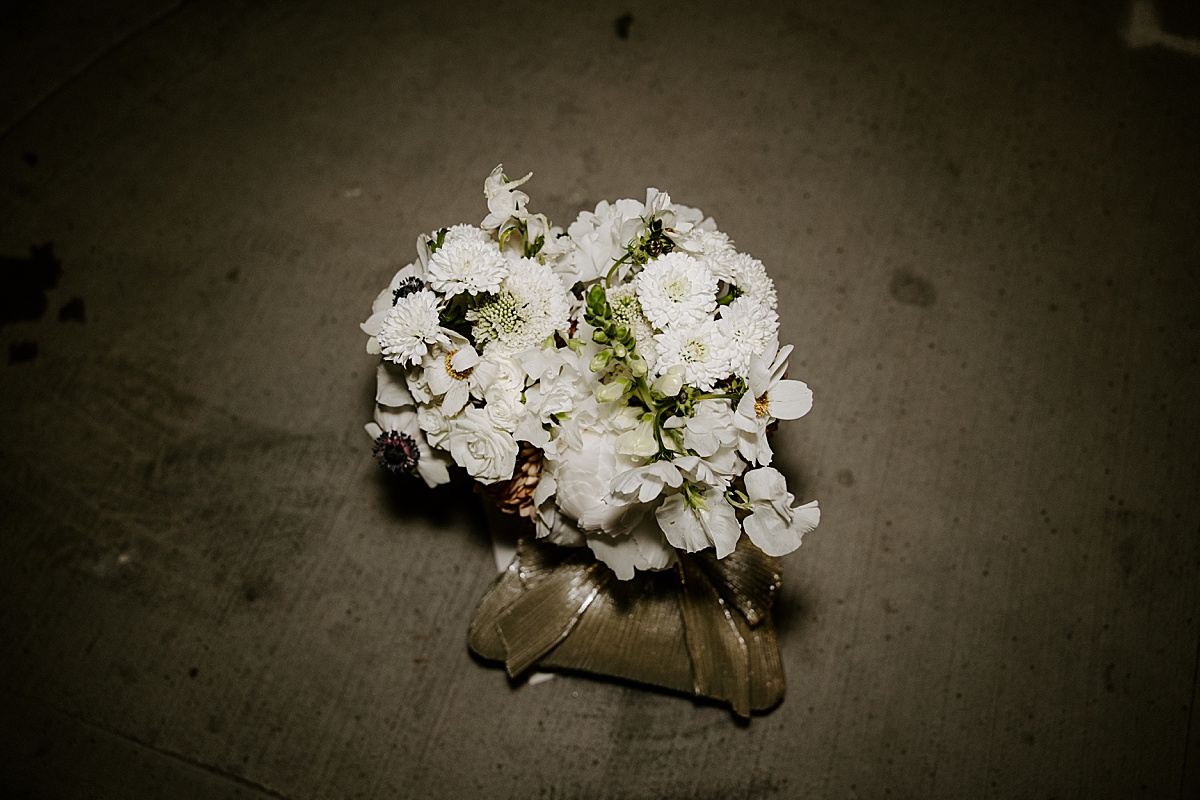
point(529, 308)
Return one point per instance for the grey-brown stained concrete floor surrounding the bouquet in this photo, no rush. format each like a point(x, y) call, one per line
point(983, 221)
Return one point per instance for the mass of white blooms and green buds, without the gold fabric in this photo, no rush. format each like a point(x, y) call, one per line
point(615, 382)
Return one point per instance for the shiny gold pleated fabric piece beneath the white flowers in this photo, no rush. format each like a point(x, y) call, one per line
point(701, 629)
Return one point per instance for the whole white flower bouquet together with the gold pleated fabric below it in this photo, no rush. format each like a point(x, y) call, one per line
point(614, 384)
